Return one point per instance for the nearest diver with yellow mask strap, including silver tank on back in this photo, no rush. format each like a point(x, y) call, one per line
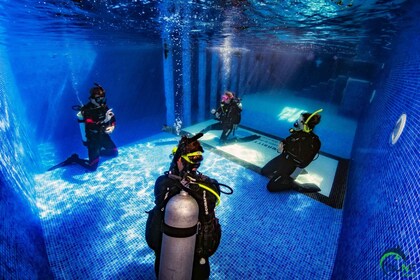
point(183, 176)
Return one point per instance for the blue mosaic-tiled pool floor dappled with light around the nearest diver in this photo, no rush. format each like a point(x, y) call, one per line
point(94, 222)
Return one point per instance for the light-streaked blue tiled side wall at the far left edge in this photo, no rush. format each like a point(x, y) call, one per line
point(22, 248)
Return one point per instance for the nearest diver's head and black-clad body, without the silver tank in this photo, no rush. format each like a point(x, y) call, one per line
point(184, 176)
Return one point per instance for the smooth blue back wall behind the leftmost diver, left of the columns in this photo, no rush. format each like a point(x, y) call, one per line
point(53, 78)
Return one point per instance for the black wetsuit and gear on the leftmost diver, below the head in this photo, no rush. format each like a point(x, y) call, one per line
point(98, 142)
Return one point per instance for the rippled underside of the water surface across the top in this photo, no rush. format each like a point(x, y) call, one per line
point(336, 27)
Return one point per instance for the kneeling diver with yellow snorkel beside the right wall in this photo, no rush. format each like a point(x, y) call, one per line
point(296, 151)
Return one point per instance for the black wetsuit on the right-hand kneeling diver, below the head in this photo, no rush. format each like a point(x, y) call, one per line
point(299, 150)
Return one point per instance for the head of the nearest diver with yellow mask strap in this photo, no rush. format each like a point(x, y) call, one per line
point(188, 155)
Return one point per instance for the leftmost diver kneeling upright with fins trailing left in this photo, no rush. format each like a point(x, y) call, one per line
point(97, 122)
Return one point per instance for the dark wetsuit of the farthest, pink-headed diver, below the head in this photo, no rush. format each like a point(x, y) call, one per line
point(229, 115)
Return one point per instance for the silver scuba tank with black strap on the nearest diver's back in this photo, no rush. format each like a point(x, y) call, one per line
point(179, 236)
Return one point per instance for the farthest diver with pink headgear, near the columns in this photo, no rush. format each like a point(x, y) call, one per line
point(228, 114)
